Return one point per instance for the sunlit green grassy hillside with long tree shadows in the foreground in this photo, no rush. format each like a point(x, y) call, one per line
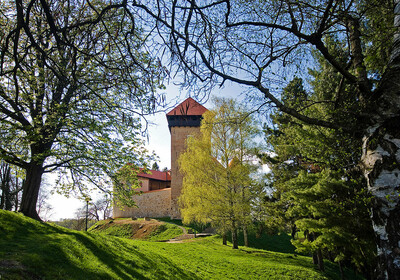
point(35, 250)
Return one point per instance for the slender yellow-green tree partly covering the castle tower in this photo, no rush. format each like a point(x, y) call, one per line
point(218, 170)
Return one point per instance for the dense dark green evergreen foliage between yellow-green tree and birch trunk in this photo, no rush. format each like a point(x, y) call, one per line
point(317, 189)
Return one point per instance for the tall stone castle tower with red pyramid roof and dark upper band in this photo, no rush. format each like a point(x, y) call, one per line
point(183, 121)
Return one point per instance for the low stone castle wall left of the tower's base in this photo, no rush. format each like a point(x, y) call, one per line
point(155, 204)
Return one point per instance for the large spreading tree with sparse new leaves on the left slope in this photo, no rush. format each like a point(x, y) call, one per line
point(75, 78)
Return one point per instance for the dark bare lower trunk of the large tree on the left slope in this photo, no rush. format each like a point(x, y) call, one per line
point(30, 190)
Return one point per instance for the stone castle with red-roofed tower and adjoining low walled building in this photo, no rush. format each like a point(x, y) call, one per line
point(161, 190)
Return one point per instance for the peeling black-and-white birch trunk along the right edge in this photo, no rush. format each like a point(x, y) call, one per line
point(381, 162)
